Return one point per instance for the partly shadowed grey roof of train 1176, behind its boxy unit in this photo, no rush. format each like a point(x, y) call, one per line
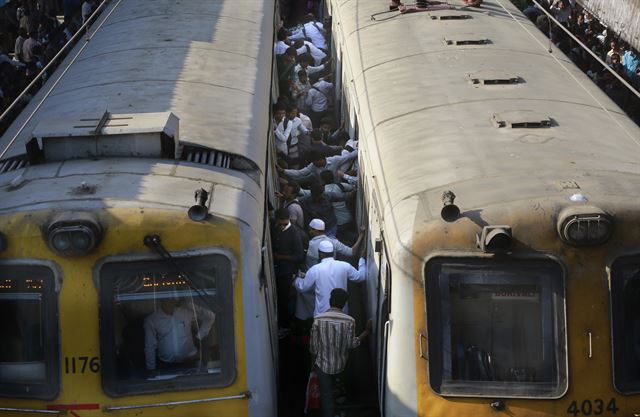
point(208, 63)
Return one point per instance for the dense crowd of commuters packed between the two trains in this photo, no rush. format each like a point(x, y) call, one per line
point(316, 243)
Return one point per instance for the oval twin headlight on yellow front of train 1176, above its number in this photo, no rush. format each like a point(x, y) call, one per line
point(73, 234)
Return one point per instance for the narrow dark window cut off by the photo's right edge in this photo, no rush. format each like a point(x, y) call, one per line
point(625, 308)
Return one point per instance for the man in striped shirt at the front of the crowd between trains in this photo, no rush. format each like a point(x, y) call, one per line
point(332, 336)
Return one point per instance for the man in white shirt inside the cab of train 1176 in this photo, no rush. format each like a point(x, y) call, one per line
point(169, 336)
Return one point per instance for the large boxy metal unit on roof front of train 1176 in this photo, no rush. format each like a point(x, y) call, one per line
point(144, 135)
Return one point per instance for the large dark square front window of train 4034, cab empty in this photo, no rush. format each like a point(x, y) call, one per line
point(496, 328)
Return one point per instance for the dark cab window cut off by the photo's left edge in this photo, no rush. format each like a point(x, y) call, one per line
point(29, 346)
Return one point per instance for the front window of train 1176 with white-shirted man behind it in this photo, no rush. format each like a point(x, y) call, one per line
point(162, 331)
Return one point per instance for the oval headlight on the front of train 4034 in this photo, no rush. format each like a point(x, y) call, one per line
point(580, 226)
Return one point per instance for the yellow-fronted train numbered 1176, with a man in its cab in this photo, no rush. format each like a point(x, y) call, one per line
point(133, 187)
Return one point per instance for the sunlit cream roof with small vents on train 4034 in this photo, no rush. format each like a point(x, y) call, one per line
point(430, 118)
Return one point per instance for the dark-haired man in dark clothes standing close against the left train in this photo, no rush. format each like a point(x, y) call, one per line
point(288, 253)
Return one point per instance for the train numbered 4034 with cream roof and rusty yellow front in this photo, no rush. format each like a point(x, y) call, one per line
point(501, 188)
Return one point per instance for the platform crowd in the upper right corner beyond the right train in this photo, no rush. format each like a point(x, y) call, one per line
point(617, 54)
